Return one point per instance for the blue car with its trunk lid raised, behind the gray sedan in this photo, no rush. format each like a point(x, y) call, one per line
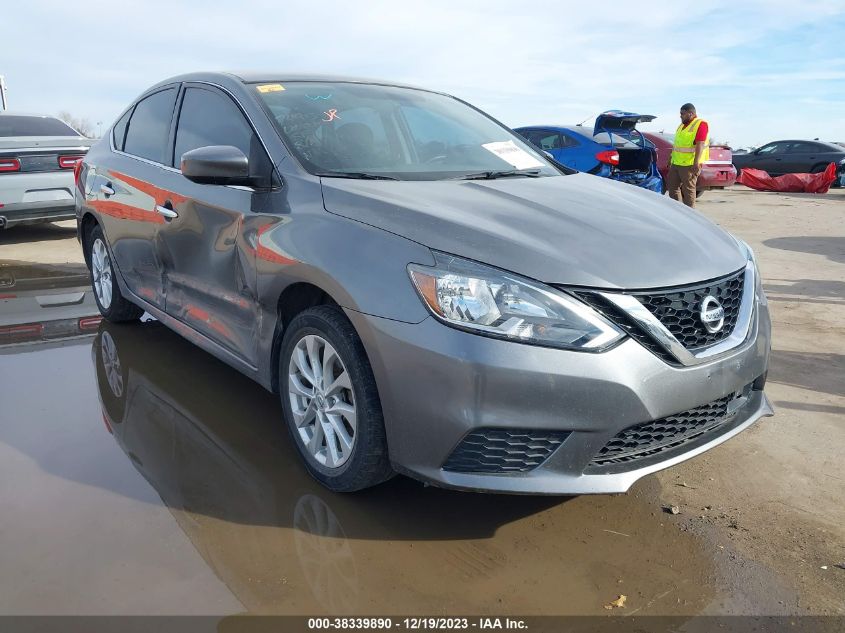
point(612, 149)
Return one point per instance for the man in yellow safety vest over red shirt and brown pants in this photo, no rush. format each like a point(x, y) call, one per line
point(691, 149)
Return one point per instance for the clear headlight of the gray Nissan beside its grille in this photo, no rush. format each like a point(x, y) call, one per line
point(488, 301)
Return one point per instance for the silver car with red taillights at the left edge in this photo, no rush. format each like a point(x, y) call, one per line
point(37, 159)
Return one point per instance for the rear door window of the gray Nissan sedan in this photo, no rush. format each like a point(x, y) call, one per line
point(149, 127)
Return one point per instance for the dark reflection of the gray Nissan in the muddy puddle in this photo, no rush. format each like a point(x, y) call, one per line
point(212, 444)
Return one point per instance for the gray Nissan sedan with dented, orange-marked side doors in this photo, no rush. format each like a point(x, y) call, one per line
point(427, 293)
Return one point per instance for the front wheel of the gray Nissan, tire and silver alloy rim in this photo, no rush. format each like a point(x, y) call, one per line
point(351, 456)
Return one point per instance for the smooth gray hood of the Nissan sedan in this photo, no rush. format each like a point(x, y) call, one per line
point(577, 229)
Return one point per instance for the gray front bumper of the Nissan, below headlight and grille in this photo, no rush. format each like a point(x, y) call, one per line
point(438, 384)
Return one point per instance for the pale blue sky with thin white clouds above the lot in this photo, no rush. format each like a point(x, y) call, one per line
point(757, 71)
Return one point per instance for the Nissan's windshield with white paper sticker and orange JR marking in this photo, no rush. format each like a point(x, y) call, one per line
point(391, 132)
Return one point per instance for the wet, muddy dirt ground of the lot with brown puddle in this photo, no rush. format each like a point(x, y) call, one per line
point(760, 527)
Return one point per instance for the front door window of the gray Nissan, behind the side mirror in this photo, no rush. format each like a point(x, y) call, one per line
point(208, 117)
